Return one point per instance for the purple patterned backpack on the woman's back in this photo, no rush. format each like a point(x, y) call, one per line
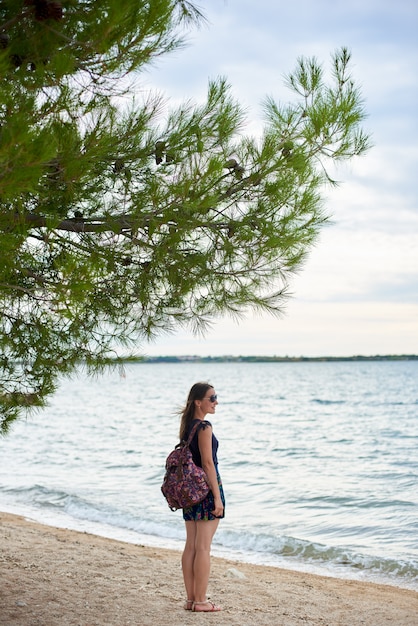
point(184, 484)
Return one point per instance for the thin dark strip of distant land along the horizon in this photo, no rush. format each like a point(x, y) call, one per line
point(267, 359)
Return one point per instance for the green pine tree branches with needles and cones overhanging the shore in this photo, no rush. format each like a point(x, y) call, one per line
point(121, 222)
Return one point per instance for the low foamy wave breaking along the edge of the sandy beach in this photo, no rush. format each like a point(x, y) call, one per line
point(263, 548)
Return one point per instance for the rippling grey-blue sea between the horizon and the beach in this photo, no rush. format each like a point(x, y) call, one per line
point(319, 462)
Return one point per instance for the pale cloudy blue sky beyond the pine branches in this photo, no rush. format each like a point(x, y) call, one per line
point(357, 293)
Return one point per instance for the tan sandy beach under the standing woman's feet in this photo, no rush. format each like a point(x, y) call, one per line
point(57, 577)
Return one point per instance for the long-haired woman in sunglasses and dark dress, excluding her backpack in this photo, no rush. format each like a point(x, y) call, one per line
point(201, 519)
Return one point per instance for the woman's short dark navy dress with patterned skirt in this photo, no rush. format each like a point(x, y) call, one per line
point(203, 510)
